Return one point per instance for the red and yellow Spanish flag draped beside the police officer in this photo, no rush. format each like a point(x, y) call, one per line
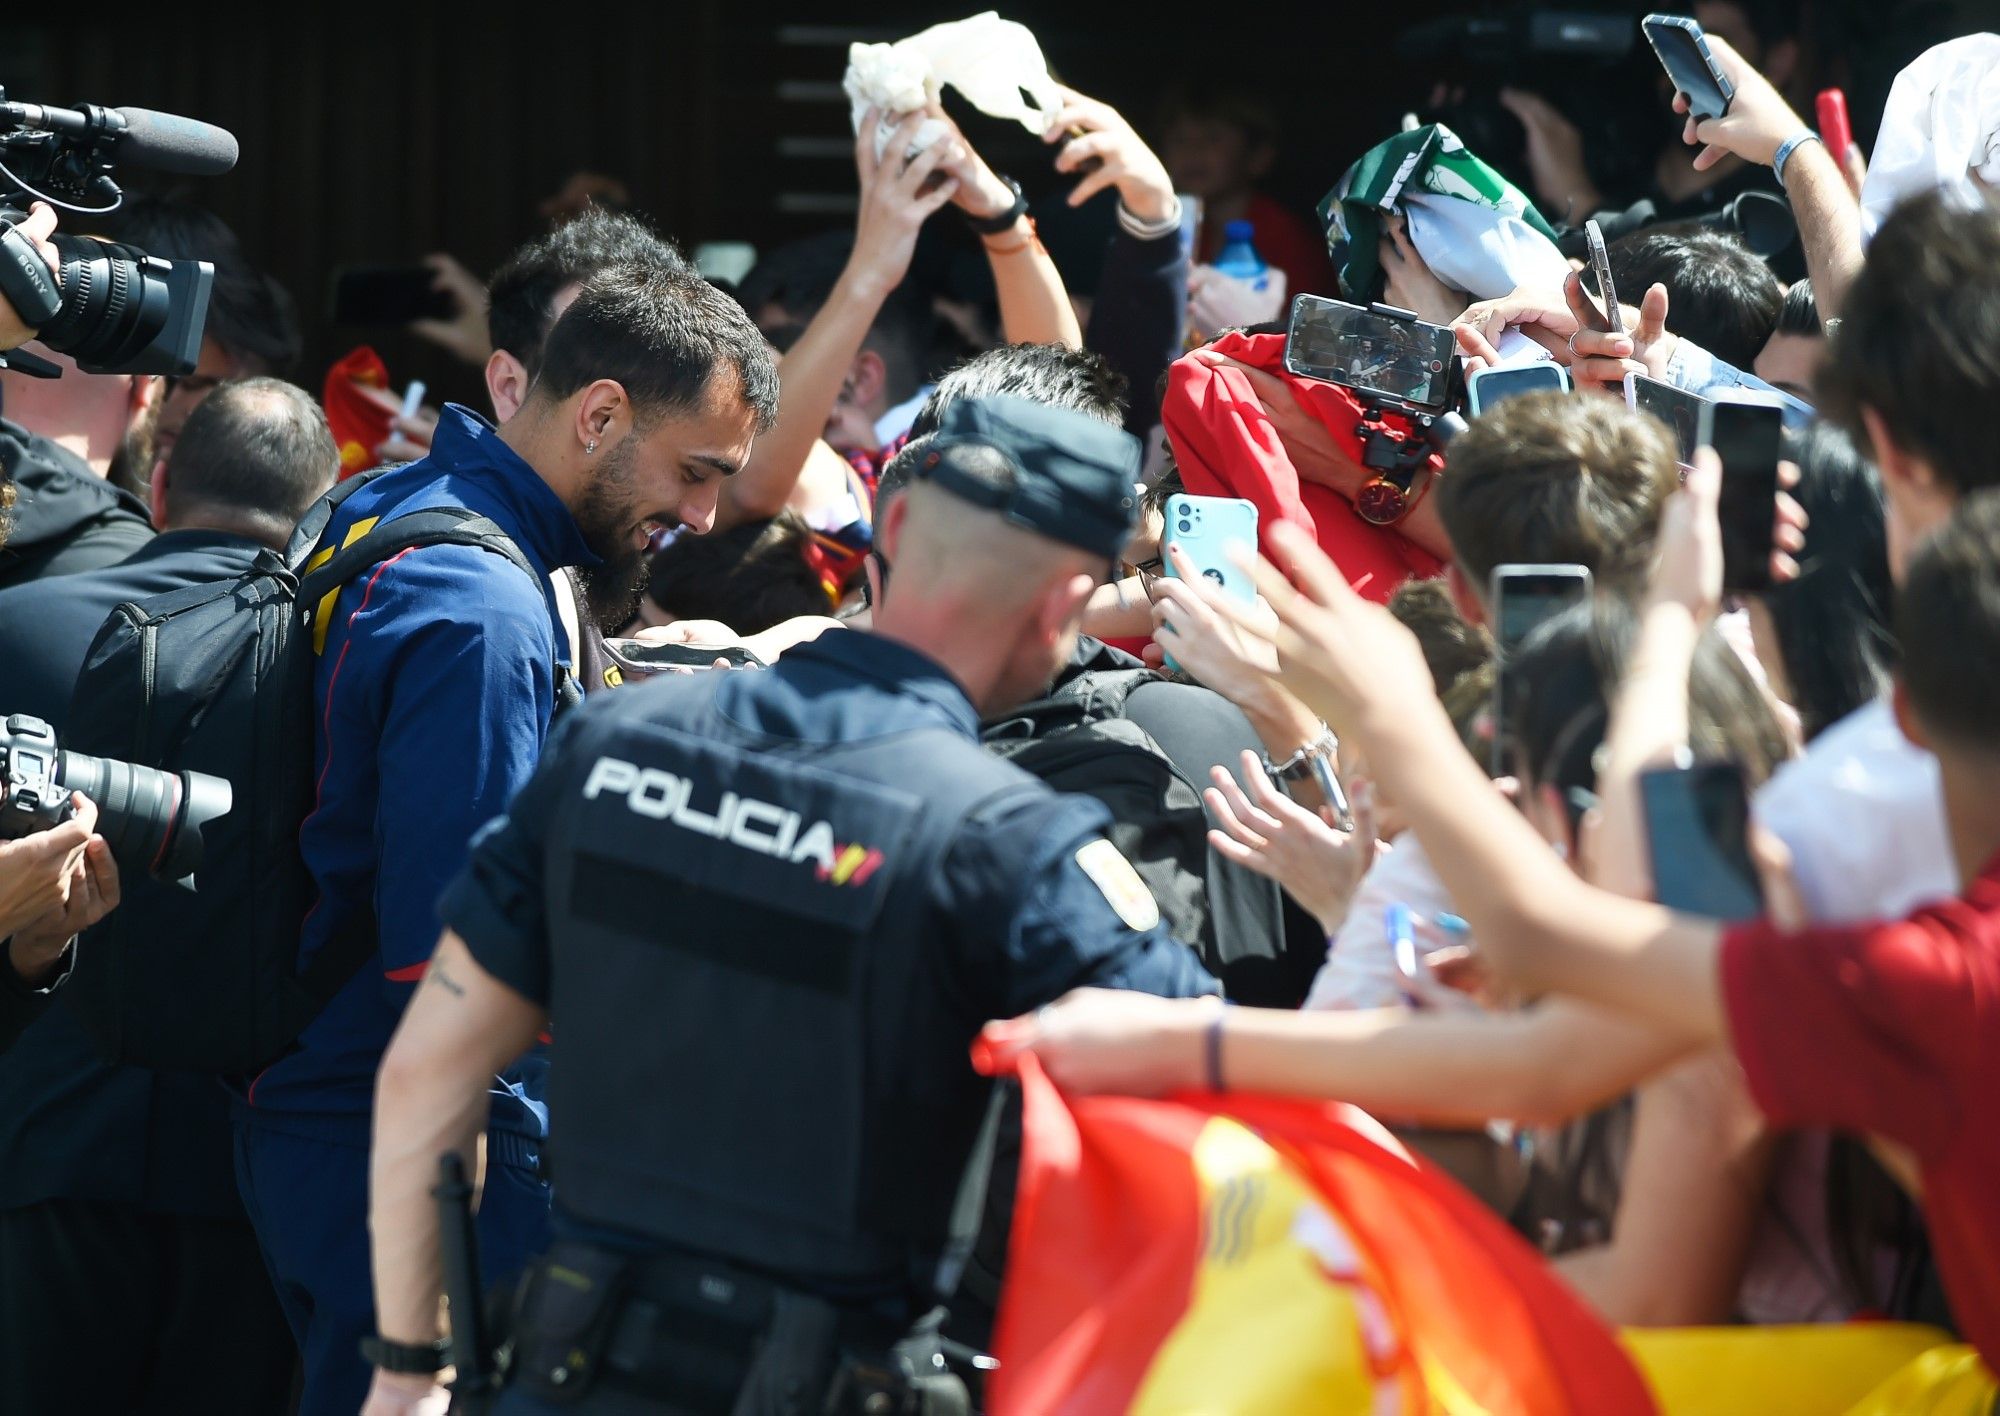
point(1251, 1255)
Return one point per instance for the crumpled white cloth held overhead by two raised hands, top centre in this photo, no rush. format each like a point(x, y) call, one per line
point(997, 65)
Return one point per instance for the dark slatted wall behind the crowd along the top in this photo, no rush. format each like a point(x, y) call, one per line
point(383, 133)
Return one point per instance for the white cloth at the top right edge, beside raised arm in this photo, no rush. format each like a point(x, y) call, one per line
point(1941, 127)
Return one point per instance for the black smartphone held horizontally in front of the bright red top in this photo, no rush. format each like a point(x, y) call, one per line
point(1377, 351)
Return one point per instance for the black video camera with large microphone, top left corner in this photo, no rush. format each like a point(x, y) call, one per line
point(115, 309)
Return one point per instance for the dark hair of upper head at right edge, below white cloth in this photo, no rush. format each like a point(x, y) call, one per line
point(1919, 341)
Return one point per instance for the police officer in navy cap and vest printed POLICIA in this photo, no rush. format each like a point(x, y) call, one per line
point(765, 915)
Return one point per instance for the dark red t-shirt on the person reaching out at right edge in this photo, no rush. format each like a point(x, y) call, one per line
point(1895, 1031)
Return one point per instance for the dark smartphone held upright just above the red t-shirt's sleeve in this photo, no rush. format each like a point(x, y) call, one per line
point(1699, 835)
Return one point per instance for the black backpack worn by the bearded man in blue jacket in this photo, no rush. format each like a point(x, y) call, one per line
point(219, 679)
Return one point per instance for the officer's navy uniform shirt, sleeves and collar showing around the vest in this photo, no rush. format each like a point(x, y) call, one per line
point(1031, 893)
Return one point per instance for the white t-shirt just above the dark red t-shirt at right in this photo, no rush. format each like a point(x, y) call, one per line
point(1865, 819)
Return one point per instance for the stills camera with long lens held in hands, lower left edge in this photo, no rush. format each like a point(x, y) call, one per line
point(153, 821)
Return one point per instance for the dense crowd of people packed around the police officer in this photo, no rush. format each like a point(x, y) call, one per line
point(1775, 1123)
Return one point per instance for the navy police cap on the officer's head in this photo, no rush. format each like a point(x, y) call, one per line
point(1073, 475)
